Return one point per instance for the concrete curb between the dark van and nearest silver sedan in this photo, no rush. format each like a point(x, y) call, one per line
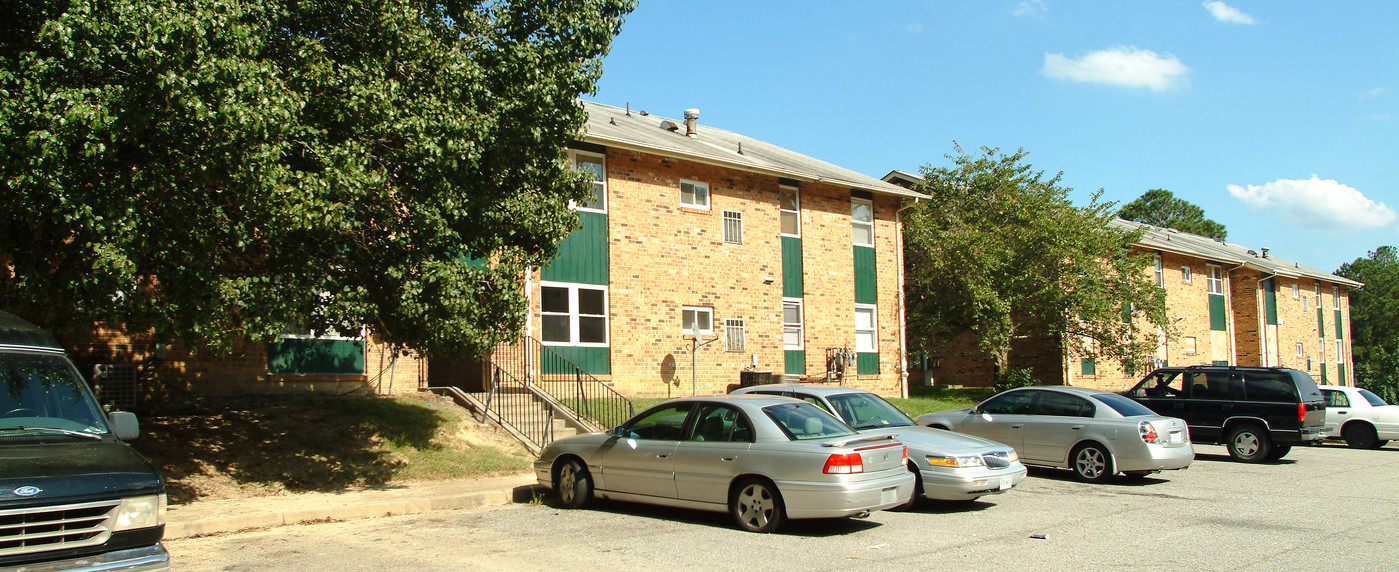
point(271, 518)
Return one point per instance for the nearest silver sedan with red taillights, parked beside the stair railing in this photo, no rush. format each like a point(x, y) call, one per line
point(763, 459)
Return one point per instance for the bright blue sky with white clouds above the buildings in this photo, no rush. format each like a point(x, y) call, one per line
point(1278, 118)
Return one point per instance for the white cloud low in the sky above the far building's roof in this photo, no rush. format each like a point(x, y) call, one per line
point(1316, 203)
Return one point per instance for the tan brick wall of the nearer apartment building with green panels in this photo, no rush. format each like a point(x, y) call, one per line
point(664, 257)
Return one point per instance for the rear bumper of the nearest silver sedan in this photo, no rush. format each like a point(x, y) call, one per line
point(807, 500)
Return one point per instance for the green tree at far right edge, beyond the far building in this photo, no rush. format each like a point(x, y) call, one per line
point(1373, 311)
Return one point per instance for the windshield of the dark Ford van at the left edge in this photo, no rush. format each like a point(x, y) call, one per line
point(44, 392)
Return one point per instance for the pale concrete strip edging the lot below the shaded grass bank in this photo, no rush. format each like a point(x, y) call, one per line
point(258, 513)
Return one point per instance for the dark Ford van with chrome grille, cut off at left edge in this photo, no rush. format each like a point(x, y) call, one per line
point(73, 496)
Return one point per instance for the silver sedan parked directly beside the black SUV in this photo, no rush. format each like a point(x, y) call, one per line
point(1096, 434)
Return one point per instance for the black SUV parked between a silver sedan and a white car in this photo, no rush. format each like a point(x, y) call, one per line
point(1257, 413)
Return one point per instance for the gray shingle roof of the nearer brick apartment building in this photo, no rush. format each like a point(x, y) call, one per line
point(615, 128)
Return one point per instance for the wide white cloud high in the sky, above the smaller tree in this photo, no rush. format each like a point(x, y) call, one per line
point(1120, 66)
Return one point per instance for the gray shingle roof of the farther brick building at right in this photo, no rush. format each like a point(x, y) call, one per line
point(1211, 250)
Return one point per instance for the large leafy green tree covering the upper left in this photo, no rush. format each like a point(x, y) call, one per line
point(222, 170)
